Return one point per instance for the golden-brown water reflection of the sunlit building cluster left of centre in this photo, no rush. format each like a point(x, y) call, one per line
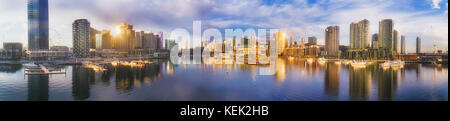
point(128, 77)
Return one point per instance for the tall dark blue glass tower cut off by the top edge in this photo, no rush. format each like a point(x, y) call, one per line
point(38, 25)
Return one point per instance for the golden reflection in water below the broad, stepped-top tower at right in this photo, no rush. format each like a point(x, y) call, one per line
point(359, 85)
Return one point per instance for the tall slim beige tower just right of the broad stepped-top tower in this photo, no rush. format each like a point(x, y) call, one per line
point(386, 34)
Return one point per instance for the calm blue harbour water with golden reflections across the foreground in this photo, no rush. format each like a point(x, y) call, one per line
point(296, 80)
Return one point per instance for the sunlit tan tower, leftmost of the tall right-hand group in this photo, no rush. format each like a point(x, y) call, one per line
point(332, 41)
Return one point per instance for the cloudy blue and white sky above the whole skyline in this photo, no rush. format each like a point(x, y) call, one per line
point(298, 18)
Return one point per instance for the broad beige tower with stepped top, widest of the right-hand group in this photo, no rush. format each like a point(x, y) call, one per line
point(359, 34)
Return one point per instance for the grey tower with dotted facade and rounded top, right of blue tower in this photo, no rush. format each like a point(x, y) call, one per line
point(81, 29)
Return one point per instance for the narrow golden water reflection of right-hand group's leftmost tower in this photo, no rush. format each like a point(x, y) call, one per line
point(332, 72)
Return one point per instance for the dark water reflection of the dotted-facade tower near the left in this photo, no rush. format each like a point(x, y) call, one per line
point(81, 78)
